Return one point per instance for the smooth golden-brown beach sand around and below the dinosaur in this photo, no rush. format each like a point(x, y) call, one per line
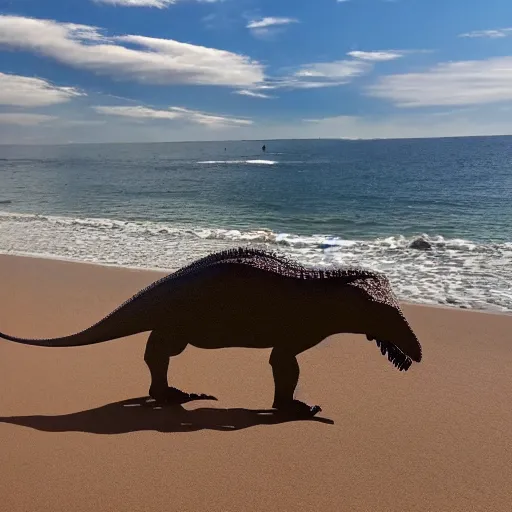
point(437, 438)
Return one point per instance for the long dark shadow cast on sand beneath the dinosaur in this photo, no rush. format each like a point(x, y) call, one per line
point(139, 414)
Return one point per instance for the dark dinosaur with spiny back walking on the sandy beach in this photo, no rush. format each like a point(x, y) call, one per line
point(254, 299)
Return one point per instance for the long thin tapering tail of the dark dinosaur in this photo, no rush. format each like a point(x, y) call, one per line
point(128, 319)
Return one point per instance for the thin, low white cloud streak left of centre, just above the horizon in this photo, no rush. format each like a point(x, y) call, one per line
point(173, 113)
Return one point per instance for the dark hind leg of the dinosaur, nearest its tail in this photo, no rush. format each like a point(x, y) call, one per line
point(157, 355)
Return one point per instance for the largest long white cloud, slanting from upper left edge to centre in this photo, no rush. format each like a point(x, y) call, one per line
point(157, 61)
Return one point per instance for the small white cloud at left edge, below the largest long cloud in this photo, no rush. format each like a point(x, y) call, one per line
point(27, 91)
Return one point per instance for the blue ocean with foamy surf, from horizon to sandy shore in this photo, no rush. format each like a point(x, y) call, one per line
point(322, 202)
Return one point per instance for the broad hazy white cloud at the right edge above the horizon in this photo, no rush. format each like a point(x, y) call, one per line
point(455, 83)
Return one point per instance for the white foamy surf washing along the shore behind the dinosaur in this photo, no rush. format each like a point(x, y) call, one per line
point(454, 272)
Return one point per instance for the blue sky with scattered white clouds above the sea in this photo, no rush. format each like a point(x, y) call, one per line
point(173, 70)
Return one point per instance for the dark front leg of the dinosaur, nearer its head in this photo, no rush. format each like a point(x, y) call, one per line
point(285, 370)
